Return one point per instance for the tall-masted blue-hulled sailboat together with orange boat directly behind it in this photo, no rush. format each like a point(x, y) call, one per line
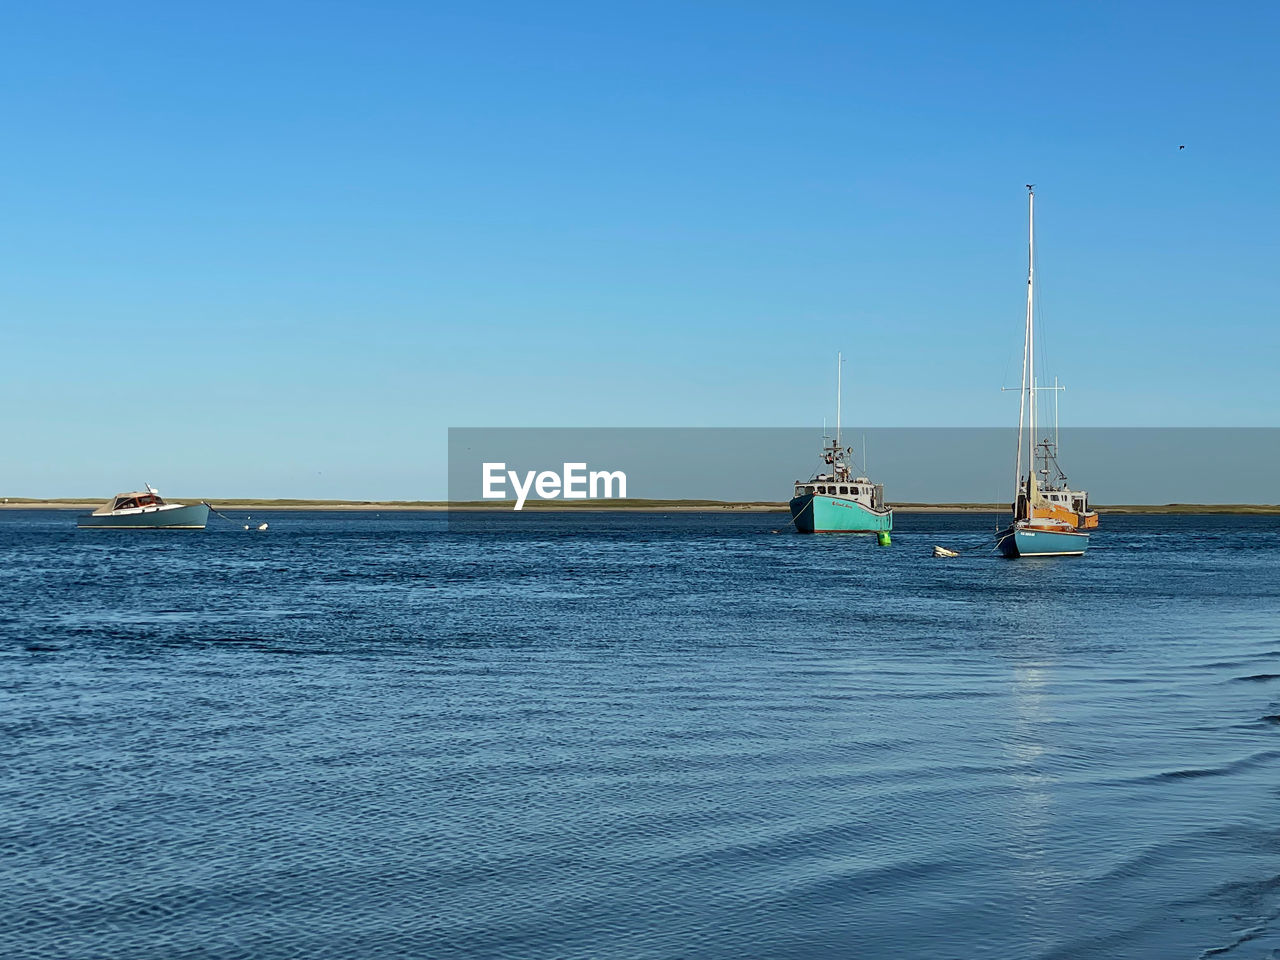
point(1050, 518)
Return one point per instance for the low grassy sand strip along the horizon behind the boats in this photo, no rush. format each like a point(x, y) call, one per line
point(629, 506)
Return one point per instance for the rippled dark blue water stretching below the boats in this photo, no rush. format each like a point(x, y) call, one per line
point(624, 737)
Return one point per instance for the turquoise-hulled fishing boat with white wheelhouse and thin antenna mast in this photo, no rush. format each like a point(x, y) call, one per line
point(834, 500)
